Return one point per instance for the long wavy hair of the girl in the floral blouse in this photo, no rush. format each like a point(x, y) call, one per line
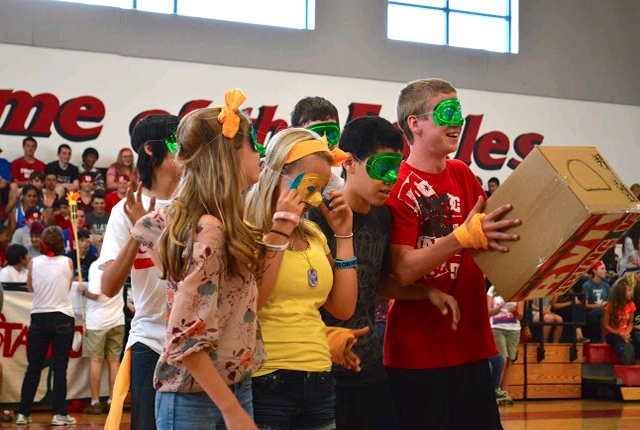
point(212, 183)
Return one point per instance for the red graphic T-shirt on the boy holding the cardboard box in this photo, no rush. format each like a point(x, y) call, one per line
point(426, 207)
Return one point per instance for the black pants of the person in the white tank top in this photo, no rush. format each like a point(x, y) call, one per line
point(55, 328)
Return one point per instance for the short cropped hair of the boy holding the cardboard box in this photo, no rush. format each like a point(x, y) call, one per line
point(415, 99)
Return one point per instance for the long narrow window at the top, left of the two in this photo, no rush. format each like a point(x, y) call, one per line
point(298, 14)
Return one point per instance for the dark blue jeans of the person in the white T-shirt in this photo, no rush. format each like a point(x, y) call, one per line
point(143, 395)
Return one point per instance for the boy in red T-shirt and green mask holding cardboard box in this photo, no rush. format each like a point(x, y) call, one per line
point(439, 376)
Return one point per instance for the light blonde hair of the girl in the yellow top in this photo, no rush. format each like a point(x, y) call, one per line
point(263, 196)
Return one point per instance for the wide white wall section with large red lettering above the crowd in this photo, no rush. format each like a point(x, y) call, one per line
point(91, 99)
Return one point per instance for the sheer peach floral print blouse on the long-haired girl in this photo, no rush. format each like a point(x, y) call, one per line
point(207, 310)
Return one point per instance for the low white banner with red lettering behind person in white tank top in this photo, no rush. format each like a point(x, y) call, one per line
point(14, 335)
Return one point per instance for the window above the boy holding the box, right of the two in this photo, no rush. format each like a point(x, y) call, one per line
point(477, 24)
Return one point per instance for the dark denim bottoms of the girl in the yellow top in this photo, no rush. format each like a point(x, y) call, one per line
point(294, 400)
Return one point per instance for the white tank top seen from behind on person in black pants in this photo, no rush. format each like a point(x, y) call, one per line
point(51, 278)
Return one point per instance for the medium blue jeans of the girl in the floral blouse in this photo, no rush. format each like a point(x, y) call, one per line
point(191, 411)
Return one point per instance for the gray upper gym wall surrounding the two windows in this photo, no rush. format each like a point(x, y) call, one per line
point(573, 49)
